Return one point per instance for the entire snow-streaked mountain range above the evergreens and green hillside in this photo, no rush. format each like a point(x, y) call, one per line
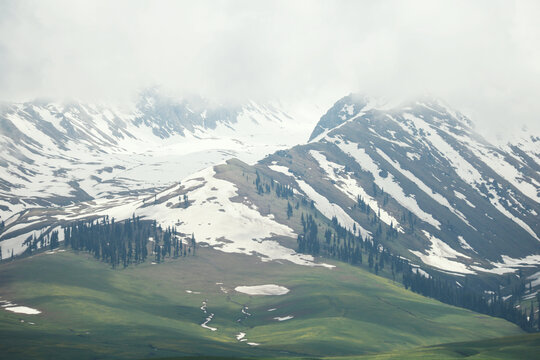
point(416, 177)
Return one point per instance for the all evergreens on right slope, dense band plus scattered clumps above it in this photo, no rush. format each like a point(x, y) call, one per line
point(348, 246)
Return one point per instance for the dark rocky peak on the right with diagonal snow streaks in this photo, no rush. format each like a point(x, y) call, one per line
point(462, 204)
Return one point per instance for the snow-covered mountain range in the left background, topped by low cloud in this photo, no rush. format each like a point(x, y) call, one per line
point(57, 154)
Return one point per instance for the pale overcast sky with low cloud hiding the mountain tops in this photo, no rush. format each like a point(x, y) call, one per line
point(482, 57)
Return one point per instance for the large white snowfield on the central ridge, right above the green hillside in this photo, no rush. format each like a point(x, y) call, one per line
point(228, 226)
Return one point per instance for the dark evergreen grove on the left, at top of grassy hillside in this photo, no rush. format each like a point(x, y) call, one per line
point(127, 242)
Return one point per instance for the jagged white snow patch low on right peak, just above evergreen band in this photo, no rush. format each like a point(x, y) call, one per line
point(439, 255)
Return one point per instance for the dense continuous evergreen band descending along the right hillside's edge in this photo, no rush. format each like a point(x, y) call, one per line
point(344, 245)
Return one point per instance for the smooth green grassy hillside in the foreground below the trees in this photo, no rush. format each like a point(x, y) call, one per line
point(144, 311)
